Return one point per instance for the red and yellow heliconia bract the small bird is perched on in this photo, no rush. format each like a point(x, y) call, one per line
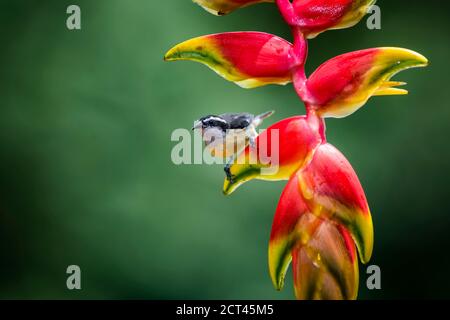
point(295, 140)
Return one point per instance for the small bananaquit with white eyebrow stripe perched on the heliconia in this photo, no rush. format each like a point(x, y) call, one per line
point(227, 134)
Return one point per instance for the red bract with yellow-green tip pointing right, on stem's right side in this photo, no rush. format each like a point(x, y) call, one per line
point(343, 84)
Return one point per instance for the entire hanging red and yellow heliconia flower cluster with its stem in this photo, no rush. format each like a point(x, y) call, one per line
point(322, 222)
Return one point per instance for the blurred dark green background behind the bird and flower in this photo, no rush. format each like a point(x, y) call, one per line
point(86, 176)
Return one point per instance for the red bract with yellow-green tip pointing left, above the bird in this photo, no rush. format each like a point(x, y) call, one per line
point(250, 59)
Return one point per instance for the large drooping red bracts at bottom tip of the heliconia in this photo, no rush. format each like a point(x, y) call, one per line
point(321, 214)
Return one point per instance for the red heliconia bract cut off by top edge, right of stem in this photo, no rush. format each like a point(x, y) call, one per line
point(316, 16)
